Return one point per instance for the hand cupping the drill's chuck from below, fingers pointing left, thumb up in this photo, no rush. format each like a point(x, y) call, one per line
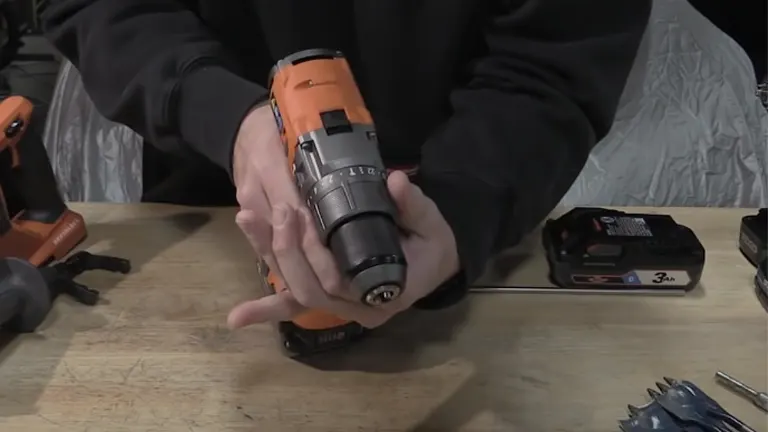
point(310, 272)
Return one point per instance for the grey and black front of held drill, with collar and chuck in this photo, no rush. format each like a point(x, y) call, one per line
point(342, 178)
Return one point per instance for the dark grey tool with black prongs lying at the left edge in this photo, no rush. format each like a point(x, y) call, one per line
point(27, 292)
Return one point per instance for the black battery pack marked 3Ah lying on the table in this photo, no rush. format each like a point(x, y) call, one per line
point(596, 249)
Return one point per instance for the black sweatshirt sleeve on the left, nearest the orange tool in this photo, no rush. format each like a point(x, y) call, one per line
point(153, 66)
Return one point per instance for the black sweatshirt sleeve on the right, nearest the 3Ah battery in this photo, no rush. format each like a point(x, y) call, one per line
point(523, 127)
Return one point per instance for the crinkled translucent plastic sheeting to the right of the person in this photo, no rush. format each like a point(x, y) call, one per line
point(690, 130)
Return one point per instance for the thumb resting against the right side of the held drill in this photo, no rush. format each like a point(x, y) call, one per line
point(418, 214)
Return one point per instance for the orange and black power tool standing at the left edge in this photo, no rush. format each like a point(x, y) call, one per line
point(35, 223)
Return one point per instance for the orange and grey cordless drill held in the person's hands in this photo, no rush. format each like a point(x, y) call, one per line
point(331, 143)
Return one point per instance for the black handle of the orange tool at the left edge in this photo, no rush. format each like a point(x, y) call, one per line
point(36, 181)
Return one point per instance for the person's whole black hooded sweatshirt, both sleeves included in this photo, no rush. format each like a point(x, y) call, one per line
point(498, 101)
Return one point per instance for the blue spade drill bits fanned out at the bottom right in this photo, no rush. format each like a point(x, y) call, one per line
point(681, 406)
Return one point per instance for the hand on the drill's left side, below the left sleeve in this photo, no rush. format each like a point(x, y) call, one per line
point(263, 179)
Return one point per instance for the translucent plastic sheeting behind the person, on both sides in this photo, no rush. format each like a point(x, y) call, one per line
point(689, 130)
